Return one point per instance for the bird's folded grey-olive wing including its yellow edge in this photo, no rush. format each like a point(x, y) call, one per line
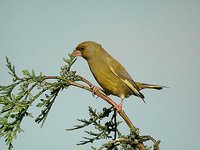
point(118, 70)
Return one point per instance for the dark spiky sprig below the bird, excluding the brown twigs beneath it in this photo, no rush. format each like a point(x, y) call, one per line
point(105, 129)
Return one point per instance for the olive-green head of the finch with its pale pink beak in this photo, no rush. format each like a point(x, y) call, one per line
point(87, 49)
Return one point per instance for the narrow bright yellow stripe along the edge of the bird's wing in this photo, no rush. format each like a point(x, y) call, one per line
point(127, 83)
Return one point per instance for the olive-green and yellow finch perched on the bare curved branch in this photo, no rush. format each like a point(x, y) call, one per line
point(109, 73)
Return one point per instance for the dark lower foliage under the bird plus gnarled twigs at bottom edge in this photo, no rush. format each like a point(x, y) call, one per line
point(106, 127)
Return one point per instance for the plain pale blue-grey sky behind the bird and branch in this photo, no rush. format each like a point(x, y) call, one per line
point(156, 41)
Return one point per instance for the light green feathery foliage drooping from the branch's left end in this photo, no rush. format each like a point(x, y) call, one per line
point(17, 97)
